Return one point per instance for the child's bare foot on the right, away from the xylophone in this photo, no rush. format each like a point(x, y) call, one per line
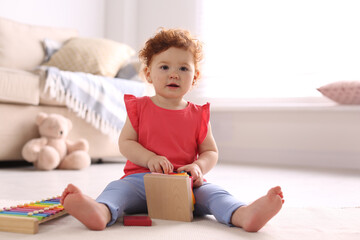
point(254, 216)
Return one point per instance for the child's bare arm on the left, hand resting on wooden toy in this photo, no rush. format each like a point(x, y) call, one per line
point(136, 153)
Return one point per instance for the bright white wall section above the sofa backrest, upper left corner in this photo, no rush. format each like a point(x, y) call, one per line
point(87, 16)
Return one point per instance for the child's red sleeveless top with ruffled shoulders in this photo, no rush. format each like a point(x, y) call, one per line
point(175, 134)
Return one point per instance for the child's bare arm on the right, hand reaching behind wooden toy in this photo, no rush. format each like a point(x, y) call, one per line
point(208, 157)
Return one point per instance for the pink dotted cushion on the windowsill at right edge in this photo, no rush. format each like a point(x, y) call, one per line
point(342, 92)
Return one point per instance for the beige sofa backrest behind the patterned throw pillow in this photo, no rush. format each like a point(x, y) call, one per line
point(21, 44)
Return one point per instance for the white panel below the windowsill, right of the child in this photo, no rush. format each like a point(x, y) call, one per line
point(295, 136)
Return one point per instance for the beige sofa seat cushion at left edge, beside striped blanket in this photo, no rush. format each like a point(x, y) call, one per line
point(19, 86)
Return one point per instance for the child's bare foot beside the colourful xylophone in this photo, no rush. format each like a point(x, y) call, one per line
point(92, 214)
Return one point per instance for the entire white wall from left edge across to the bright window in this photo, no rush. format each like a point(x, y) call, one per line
point(128, 21)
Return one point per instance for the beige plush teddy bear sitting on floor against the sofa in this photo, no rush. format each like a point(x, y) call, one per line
point(52, 150)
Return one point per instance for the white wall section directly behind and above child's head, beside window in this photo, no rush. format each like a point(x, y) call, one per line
point(134, 21)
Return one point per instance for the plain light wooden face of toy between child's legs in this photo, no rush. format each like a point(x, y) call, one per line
point(169, 197)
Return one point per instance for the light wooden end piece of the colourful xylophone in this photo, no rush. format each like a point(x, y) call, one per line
point(19, 224)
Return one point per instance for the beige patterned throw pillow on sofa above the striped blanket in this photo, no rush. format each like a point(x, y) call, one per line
point(91, 55)
